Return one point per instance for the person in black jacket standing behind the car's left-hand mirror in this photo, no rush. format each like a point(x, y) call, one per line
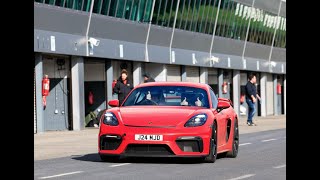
point(123, 86)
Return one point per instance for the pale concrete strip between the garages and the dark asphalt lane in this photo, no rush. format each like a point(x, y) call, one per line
point(56, 144)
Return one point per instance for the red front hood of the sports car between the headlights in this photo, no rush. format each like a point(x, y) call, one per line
point(150, 116)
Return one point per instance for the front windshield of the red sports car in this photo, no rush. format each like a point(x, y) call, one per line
point(168, 96)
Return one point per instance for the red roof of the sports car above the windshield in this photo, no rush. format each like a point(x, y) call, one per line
point(166, 83)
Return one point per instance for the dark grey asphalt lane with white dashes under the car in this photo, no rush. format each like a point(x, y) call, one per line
point(262, 156)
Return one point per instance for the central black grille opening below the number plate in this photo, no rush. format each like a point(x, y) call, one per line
point(148, 149)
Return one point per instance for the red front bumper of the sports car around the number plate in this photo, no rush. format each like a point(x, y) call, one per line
point(183, 142)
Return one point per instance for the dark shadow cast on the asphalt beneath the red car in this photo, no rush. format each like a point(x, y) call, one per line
point(154, 160)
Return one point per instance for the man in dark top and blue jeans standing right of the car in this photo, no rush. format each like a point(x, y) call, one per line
point(251, 98)
